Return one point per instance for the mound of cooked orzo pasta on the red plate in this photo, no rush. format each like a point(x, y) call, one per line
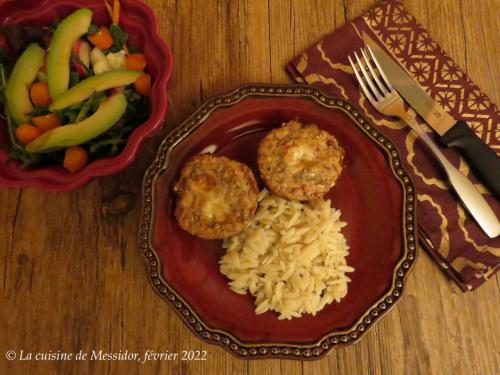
point(291, 258)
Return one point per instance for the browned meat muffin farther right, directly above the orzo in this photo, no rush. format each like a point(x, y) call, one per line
point(300, 162)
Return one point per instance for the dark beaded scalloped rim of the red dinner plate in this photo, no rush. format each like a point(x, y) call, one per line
point(334, 339)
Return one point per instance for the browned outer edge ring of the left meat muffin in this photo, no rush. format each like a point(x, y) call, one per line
point(179, 211)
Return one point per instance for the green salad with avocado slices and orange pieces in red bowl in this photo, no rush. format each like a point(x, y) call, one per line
point(71, 92)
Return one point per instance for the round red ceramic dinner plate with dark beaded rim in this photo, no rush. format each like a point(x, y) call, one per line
point(373, 192)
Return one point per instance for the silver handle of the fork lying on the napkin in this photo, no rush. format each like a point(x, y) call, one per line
point(472, 199)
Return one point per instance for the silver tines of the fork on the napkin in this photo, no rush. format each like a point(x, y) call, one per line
point(370, 78)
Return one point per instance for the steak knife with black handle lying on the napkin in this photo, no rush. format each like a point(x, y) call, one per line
point(454, 134)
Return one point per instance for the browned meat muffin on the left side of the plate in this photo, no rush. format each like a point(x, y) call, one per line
point(217, 196)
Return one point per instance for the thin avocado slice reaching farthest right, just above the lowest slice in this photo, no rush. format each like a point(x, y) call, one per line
point(83, 90)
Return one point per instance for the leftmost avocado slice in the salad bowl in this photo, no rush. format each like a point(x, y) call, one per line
point(24, 73)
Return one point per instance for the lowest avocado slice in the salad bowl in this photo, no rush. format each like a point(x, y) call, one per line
point(108, 113)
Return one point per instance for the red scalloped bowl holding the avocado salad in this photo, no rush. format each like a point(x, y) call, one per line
point(140, 22)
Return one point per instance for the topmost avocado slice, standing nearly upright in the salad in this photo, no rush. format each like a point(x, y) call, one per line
point(58, 59)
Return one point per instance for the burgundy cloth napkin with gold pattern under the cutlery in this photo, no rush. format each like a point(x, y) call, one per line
point(451, 237)
